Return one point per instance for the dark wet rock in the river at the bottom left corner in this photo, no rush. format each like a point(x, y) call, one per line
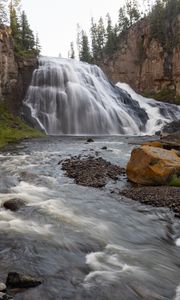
point(16, 280)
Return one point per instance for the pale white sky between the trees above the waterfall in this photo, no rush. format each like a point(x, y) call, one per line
point(56, 20)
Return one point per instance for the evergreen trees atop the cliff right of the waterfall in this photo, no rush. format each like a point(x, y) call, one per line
point(105, 37)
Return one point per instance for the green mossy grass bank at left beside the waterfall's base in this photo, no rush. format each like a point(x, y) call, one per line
point(13, 128)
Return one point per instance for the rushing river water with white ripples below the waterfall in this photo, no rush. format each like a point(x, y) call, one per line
point(85, 243)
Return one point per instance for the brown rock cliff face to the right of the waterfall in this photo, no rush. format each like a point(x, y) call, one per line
point(143, 63)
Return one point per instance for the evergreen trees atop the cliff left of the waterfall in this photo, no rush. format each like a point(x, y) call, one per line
point(24, 40)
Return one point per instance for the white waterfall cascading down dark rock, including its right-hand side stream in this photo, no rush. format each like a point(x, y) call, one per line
point(71, 97)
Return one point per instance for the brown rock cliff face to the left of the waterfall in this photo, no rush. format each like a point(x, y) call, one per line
point(15, 73)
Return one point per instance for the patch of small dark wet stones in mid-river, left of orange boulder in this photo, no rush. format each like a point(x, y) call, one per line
point(91, 171)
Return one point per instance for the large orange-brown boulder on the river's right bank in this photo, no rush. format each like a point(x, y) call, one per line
point(153, 166)
